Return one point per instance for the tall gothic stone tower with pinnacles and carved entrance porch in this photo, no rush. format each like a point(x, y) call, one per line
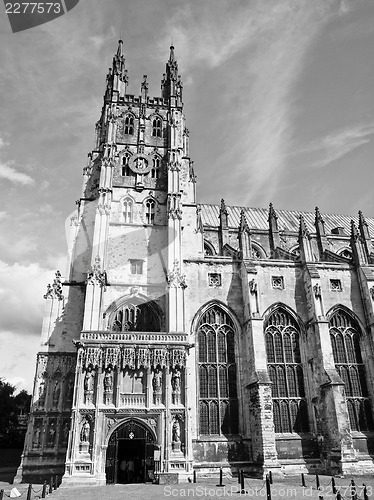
point(114, 327)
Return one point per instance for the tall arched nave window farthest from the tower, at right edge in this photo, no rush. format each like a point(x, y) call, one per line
point(345, 341)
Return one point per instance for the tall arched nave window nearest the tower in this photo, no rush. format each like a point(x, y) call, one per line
point(218, 403)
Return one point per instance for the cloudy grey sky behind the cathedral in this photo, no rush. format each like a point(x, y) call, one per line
point(279, 101)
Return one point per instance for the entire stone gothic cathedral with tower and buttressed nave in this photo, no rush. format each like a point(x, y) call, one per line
point(187, 336)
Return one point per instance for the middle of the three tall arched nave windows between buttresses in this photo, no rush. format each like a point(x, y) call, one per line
point(282, 337)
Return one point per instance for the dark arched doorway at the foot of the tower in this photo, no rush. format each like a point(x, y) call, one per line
point(130, 454)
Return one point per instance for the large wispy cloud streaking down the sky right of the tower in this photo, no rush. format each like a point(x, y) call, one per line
point(271, 40)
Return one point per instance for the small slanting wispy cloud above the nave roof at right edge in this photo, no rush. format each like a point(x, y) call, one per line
point(327, 150)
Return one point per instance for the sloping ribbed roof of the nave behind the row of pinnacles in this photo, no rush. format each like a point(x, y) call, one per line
point(287, 219)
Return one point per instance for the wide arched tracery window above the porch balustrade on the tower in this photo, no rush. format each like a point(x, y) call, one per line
point(135, 317)
